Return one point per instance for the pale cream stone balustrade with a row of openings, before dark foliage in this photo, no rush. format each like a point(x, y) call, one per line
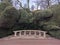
point(30, 33)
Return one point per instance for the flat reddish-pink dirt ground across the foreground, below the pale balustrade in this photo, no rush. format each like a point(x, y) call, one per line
point(30, 42)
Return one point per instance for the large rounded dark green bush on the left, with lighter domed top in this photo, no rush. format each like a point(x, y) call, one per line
point(8, 17)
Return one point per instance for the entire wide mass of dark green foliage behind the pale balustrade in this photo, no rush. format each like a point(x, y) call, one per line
point(24, 19)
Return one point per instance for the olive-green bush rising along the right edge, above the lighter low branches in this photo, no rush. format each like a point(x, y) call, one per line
point(56, 12)
